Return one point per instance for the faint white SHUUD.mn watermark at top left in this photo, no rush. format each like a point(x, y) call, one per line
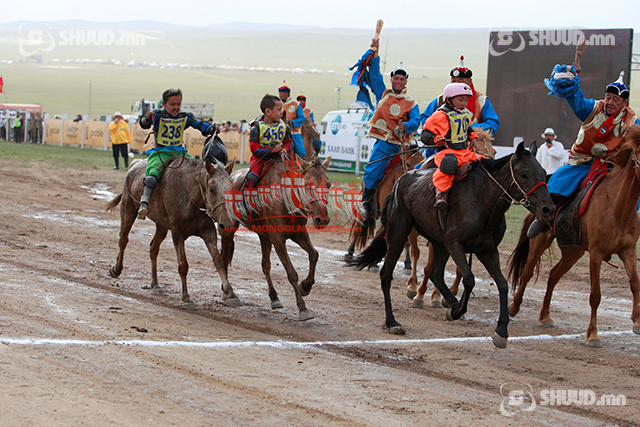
point(46, 39)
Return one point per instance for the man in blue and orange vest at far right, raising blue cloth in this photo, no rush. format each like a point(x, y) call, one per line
point(604, 125)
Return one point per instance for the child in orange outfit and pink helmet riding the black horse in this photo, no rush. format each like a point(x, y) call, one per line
point(450, 129)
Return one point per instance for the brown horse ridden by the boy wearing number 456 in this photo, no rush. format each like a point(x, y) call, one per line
point(283, 214)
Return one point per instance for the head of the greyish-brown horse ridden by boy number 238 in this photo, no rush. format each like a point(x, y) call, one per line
point(218, 182)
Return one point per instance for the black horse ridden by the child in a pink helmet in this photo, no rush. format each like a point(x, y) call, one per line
point(474, 223)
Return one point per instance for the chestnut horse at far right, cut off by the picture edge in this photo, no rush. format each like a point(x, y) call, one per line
point(609, 225)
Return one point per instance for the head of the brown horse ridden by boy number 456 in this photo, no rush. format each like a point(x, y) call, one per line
point(315, 177)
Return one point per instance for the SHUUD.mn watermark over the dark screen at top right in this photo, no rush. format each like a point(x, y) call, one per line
point(504, 41)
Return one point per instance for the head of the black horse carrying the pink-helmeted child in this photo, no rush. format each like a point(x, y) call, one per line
point(528, 184)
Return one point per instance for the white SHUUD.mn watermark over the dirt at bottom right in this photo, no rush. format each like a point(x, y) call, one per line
point(522, 398)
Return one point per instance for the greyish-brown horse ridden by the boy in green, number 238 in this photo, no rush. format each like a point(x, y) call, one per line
point(188, 200)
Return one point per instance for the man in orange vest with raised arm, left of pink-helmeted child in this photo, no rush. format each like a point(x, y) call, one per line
point(397, 116)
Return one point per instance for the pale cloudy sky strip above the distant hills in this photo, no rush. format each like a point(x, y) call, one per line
point(340, 13)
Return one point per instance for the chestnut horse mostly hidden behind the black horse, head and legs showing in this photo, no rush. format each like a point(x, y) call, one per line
point(484, 145)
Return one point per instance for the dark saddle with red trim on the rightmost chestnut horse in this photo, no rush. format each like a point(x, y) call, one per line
point(567, 223)
